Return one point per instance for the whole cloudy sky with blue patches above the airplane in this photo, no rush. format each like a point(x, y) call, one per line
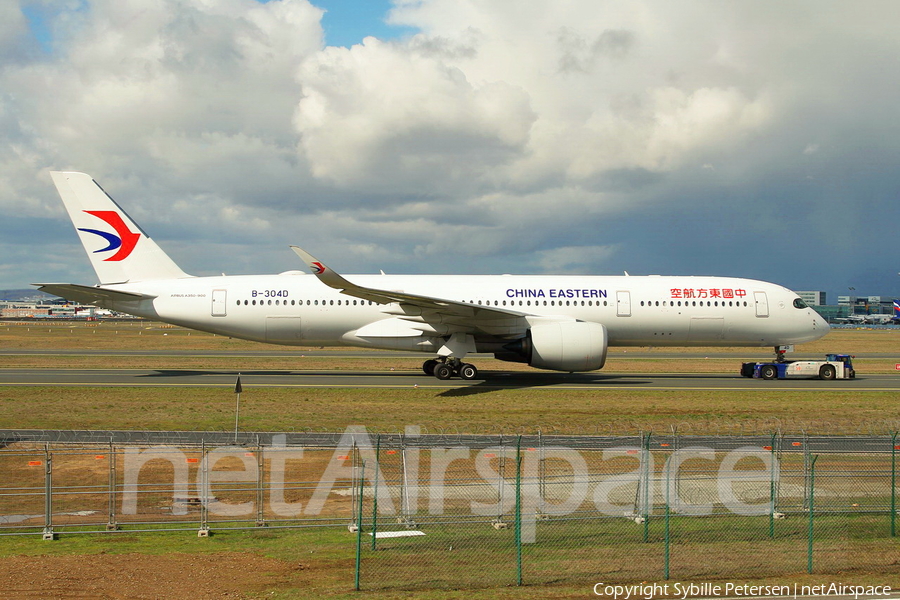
point(757, 139)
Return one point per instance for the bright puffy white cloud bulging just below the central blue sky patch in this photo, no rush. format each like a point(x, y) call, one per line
point(385, 108)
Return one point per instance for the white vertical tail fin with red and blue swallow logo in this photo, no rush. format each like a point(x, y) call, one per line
point(119, 250)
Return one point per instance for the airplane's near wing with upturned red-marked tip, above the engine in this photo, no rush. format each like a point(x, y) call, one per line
point(437, 316)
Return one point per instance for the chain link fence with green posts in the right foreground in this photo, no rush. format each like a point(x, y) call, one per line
point(526, 510)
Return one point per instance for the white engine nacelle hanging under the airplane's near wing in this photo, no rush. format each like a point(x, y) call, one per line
point(564, 346)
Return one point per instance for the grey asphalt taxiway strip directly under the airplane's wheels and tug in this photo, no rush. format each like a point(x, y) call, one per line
point(600, 380)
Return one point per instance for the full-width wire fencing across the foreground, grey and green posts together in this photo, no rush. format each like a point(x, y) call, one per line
point(440, 511)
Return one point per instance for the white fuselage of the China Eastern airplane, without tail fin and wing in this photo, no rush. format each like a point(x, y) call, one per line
point(295, 308)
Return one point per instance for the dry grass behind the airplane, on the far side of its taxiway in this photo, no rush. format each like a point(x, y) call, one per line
point(140, 336)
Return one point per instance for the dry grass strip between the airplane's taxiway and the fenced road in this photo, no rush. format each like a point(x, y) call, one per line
point(454, 410)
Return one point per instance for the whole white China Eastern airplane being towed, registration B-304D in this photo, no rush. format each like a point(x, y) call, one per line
point(554, 322)
